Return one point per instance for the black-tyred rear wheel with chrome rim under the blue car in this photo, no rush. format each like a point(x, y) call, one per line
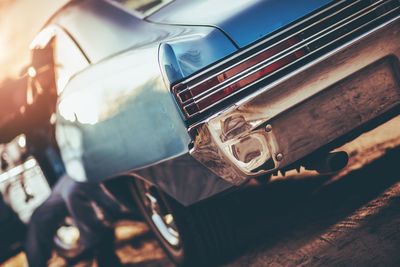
point(200, 235)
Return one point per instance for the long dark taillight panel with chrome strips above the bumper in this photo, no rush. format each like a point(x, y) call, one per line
point(280, 54)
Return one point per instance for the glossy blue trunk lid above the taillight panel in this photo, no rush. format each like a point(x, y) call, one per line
point(245, 21)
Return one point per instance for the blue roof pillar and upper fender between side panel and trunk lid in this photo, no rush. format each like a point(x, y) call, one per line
point(102, 30)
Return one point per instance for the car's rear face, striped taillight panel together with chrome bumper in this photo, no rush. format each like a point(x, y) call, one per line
point(311, 85)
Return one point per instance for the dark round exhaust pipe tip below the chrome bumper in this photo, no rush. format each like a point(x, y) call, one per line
point(329, 163)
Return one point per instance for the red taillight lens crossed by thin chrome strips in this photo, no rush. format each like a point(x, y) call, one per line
point(202, 95)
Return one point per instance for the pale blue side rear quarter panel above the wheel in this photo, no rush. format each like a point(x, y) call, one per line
point(118, 117)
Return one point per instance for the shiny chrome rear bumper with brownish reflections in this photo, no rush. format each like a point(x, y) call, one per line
point(294, 116)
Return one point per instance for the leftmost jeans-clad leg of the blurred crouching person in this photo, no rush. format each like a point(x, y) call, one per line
point(42, 227)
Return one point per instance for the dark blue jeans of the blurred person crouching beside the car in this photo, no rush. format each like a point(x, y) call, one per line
point(76, 200)
